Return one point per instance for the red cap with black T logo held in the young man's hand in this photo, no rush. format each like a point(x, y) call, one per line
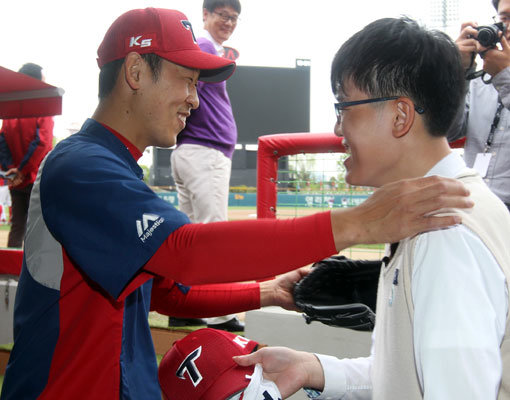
point(200, 366)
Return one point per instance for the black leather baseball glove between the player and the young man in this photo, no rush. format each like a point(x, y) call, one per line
point(340, 292)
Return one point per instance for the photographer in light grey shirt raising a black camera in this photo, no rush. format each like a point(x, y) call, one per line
point(485, 121)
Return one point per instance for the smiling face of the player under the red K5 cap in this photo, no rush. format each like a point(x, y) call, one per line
point(168, 101)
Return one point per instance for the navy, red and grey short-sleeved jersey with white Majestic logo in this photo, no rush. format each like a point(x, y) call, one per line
point(93, 223)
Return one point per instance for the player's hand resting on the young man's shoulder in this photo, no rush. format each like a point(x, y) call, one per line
point(398, 210)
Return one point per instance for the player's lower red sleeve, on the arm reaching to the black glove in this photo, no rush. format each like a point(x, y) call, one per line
point(203, 300)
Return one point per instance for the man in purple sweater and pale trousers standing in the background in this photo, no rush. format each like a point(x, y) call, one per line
point(202, 161)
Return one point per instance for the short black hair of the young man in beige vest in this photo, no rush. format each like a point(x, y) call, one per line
point(397, 57)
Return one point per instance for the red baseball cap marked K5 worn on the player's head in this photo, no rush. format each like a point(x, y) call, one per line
point(167, 33)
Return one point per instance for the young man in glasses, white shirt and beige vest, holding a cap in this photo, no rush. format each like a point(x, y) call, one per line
point(442, 303)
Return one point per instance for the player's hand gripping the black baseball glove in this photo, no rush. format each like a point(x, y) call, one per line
point(278, 292)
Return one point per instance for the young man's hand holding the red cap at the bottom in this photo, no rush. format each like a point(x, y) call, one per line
point(289, 369)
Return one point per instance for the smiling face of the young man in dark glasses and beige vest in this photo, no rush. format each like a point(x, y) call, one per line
point(364, 130)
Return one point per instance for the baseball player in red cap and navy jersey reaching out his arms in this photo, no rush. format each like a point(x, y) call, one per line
point(102, 248)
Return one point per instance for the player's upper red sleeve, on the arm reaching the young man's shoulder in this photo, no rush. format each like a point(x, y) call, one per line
point(239, 251)
